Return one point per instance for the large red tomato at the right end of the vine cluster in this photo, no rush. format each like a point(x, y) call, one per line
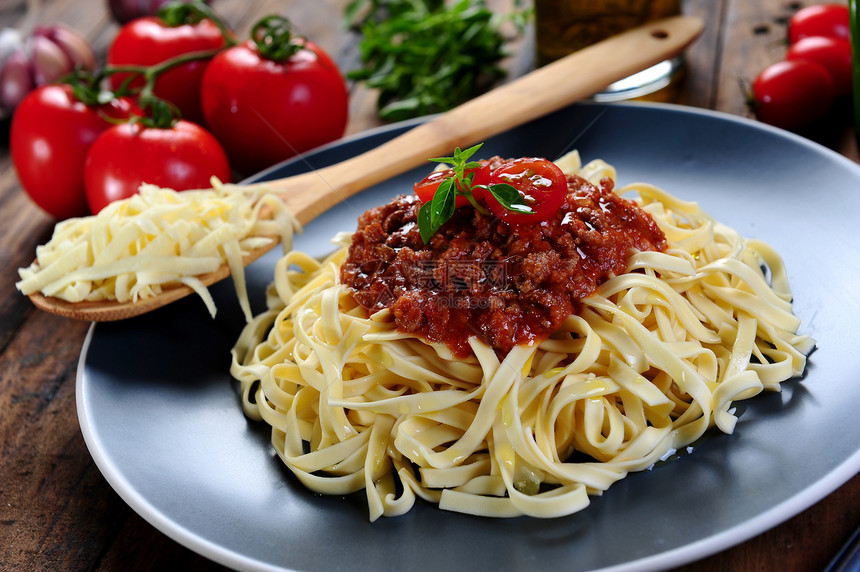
point(264, 111)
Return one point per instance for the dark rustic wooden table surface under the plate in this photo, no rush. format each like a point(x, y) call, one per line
point(57, 512)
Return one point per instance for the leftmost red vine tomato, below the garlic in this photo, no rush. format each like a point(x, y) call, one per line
point(50, 135)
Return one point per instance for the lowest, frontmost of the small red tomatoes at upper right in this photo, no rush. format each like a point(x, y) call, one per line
point(792, 94)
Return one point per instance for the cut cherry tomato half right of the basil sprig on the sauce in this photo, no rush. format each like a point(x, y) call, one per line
point(541, 183)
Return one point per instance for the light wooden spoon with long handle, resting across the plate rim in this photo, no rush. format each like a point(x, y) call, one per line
point(538, 93)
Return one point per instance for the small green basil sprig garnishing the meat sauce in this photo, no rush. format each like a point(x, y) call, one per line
point(436, 212)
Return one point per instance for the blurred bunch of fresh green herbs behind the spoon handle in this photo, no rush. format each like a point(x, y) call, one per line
point(426, 56)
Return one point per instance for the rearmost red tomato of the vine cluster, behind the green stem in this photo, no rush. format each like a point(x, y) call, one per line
point(148, 41)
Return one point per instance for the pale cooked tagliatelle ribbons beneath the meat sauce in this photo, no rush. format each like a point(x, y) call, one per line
point(651, 361)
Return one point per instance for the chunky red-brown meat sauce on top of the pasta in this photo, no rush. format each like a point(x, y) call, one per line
point(478, 276)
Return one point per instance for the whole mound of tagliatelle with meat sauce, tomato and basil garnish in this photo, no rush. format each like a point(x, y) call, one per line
point(503, 369)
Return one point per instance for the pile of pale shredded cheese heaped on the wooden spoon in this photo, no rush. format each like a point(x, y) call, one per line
point(160, 238)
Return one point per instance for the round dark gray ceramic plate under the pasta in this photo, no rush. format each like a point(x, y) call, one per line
point(161, 417)
